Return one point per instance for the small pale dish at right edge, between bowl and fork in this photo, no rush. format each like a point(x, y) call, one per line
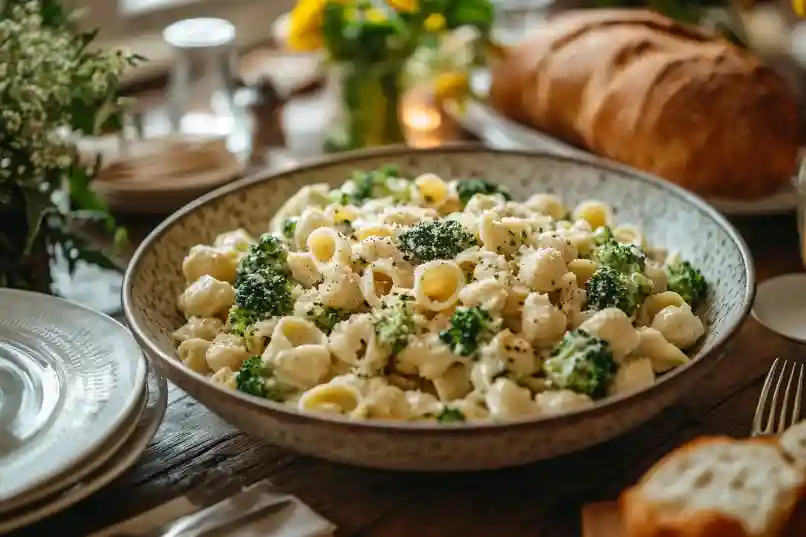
point(780, 306)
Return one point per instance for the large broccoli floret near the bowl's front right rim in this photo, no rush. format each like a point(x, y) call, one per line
point(581, 363)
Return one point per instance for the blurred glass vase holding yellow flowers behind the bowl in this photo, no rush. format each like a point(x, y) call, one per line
point(368, 99)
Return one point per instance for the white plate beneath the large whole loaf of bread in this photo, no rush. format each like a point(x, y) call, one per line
point(503, 133)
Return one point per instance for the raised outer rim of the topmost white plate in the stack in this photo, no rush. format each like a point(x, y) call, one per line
point(140, 378)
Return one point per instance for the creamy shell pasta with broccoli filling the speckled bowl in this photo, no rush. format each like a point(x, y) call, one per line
point(422, 298)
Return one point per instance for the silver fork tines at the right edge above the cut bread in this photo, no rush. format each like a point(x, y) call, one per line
point(782, 414)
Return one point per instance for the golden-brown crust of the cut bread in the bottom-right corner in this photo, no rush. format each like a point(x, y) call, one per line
point(642, 519)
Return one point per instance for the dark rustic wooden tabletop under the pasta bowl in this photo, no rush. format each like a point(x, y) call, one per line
point(193, 448)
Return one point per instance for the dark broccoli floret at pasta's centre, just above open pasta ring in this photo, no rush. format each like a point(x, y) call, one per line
point(437, 239)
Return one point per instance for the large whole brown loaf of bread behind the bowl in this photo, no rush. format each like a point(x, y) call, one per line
point(643, 90)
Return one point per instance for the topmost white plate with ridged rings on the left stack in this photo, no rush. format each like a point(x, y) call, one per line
point(63, 369)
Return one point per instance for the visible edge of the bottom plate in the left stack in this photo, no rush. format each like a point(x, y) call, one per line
point(135, 445)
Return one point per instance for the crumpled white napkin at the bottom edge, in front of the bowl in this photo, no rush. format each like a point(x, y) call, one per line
point(284, 516)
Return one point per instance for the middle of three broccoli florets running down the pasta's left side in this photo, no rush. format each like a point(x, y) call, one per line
point(260, 295)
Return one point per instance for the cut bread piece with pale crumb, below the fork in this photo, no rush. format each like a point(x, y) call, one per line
point(717, 487)
